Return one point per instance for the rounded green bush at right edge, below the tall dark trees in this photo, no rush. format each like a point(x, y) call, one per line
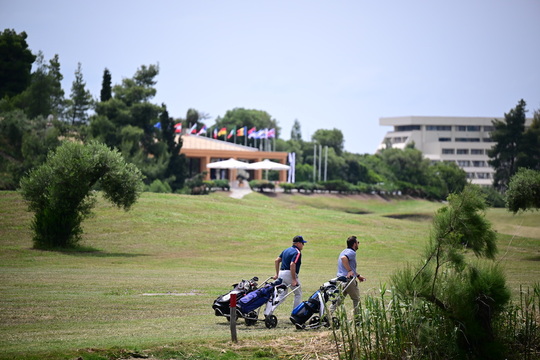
point(523, 191)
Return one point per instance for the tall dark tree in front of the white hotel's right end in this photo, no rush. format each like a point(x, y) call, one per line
point(509, 145)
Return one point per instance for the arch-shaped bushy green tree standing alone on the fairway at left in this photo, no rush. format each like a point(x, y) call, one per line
point(60, 195)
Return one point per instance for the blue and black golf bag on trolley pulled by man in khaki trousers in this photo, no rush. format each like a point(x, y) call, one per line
point(314, 308)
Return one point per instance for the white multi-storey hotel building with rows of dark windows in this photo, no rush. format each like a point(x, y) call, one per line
point(463, 140)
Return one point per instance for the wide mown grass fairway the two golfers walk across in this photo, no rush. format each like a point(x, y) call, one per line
point(148, 277)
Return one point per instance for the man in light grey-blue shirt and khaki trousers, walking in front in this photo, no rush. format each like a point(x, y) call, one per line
point(347, 268)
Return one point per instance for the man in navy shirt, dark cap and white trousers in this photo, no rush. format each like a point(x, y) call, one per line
point(288, 266)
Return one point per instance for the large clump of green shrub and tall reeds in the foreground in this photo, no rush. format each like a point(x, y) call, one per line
point(448, 307)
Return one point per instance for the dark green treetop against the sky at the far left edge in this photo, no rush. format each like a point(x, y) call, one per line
point(15, 63)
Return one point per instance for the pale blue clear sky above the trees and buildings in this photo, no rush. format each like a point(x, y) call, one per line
point(341, 64)
